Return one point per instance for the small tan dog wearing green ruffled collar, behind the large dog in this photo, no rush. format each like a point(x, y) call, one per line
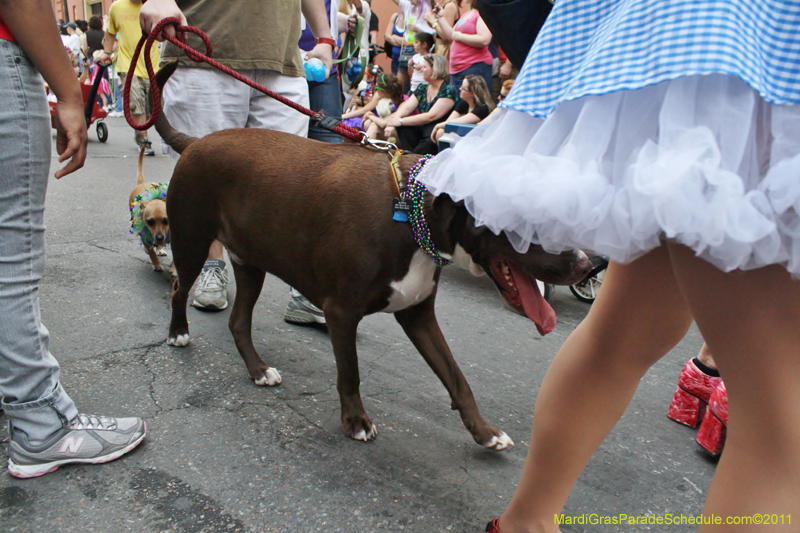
point(149, 215)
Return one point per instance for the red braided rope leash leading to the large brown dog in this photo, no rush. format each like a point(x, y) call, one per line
point(147, 41)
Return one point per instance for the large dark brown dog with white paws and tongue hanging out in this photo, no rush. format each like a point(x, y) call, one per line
point(319, 216)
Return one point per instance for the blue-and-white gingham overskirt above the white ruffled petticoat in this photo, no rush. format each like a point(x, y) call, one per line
point(599, 46)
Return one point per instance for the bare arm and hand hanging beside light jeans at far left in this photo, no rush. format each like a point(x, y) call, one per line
point(42, 44)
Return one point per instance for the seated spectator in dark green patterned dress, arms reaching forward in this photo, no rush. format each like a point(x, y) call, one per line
point(433, 100)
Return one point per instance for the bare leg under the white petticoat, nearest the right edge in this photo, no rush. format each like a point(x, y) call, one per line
point(750, 321)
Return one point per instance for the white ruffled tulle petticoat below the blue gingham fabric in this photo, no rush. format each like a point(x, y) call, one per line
point(701, 160)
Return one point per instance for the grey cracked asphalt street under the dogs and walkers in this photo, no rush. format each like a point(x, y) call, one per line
point(223, 455)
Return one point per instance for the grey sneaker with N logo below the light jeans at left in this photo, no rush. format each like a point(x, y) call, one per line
point(87, 439)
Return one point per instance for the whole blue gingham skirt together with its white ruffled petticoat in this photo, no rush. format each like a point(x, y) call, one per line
point(638, 120)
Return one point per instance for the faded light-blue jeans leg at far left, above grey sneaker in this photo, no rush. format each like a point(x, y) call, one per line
point(32, 397)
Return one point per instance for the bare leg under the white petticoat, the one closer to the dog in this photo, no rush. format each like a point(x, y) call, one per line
point(632, 324)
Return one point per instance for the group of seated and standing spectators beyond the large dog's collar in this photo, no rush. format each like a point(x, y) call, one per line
point(433, 48)
